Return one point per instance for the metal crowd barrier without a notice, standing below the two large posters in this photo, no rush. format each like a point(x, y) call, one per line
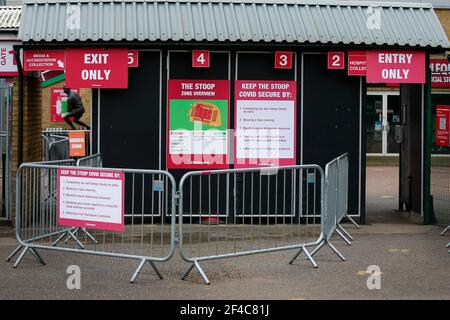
point(231, 213)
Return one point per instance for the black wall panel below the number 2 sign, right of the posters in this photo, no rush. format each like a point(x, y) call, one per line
point(331, 119)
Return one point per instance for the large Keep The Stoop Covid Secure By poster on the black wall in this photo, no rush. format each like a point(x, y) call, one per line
point(265, 123)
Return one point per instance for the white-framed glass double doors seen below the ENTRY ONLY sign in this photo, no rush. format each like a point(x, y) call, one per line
point(383, 114)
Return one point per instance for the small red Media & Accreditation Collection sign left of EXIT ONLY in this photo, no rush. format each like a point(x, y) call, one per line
point(41, 60)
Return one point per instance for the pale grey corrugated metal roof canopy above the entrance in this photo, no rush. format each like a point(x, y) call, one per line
point(305, 22)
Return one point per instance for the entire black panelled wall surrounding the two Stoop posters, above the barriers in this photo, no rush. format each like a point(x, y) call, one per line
point(129, 118)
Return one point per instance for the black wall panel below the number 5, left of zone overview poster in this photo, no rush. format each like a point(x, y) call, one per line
point(129, 118)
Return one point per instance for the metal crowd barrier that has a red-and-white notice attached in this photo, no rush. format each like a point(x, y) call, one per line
point(149, 201)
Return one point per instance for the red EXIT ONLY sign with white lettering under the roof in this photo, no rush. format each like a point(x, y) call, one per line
point(97, 68)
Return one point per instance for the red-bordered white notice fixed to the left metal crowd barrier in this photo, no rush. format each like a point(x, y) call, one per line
point(92, 199)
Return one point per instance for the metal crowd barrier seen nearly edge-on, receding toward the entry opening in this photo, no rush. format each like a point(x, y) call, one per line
point(336, 203)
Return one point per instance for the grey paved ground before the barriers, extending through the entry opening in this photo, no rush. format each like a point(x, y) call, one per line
point(413, 261)
